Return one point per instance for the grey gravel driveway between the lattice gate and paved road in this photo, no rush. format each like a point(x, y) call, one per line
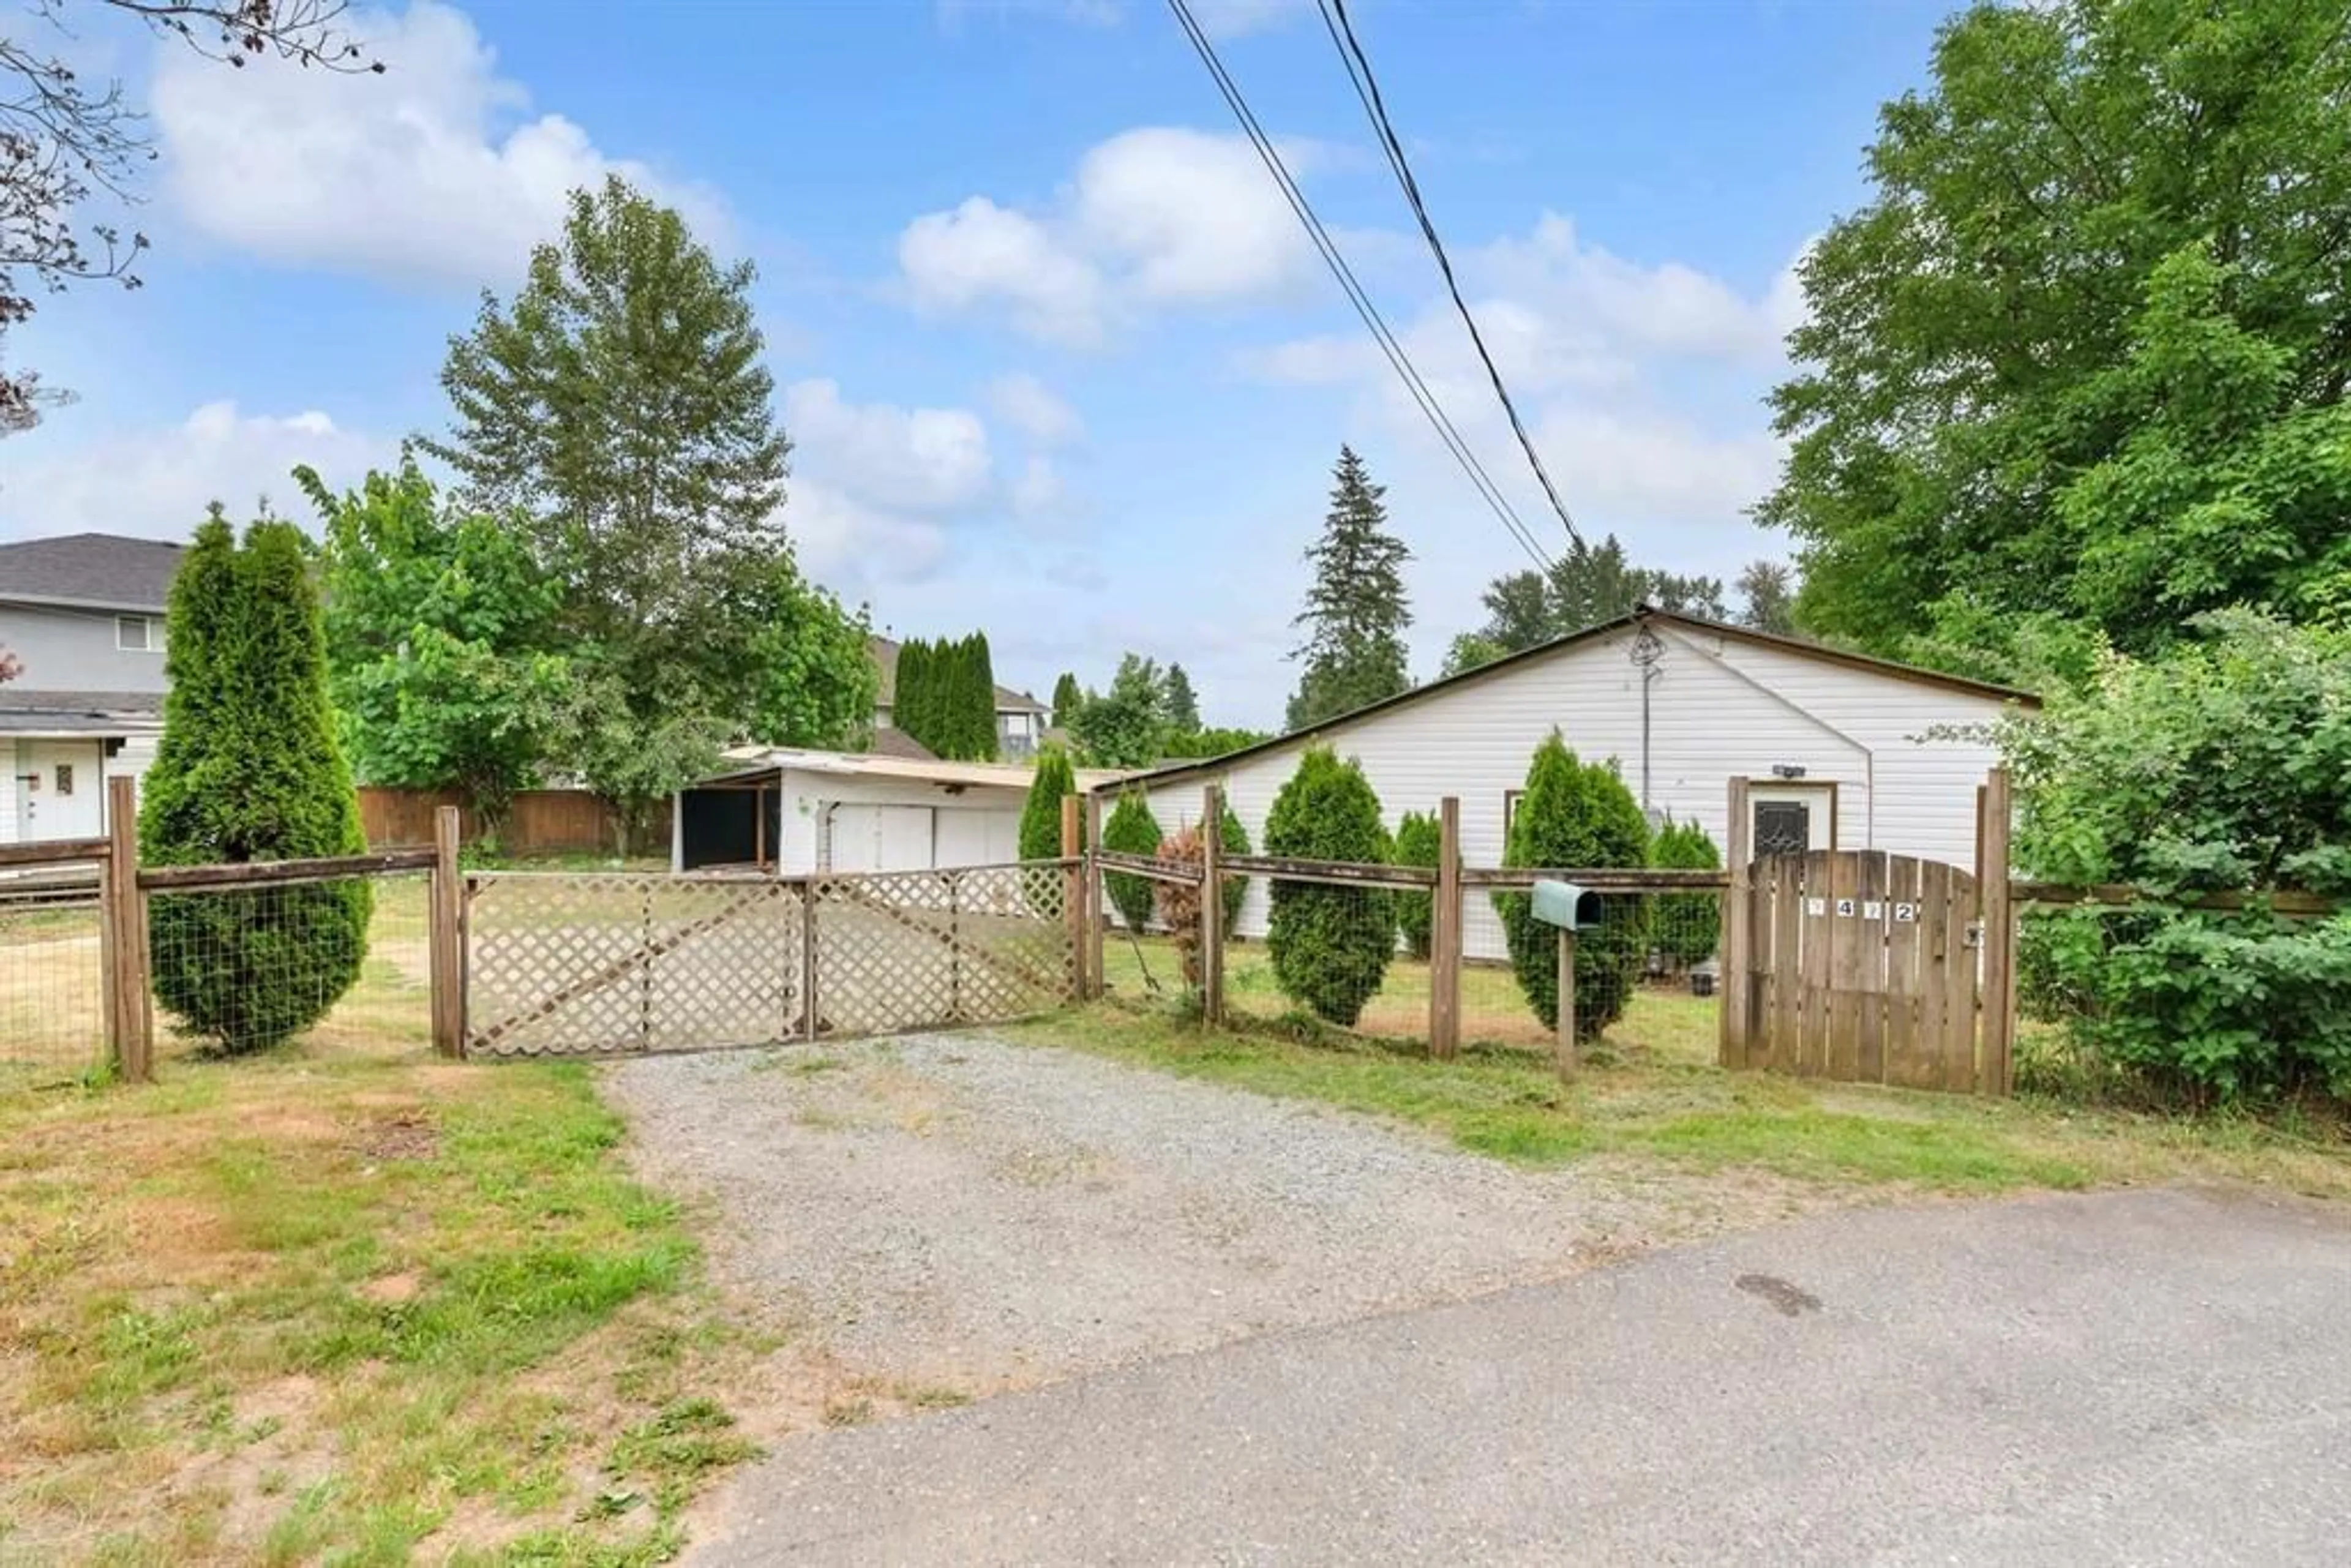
point(977, 1214)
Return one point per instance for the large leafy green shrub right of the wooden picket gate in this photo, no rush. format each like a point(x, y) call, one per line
point(2218, 768)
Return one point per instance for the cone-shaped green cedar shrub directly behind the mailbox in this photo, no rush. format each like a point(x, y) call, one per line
point(1572, 817)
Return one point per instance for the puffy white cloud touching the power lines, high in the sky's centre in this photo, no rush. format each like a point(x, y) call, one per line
point(1153, 217)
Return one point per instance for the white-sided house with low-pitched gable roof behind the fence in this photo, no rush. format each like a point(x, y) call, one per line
point(1837, 744)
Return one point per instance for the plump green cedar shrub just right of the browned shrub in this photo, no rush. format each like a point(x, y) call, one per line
point(1329, 946)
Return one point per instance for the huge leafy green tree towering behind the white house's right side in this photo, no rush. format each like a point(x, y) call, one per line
point(2082, 359)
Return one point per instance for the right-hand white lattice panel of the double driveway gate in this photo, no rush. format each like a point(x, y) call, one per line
point(916, 951)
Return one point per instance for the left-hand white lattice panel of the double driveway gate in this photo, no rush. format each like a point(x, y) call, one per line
point(587, 965)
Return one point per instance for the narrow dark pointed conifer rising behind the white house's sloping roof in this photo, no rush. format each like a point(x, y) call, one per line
point(1355, 612)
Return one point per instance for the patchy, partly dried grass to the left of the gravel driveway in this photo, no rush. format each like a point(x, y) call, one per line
point(347, 1304)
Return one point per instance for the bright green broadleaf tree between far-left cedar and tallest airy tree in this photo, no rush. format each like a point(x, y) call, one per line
point(441, 641)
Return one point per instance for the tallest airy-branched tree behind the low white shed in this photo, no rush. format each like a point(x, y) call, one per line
point(619, 406)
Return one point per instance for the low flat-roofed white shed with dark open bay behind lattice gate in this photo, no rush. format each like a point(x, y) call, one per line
point(805, 812)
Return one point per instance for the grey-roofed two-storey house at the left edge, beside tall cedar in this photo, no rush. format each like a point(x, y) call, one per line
point(83, 617)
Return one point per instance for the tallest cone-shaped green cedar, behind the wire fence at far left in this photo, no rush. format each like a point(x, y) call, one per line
point(250, 770)
